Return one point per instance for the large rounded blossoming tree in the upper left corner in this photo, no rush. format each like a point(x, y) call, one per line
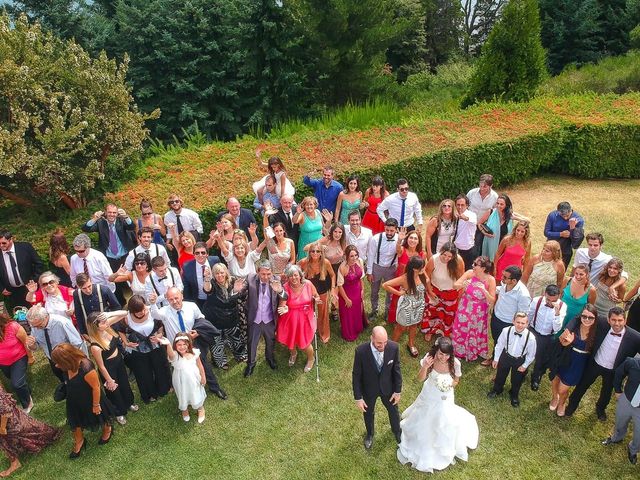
point(67, 120)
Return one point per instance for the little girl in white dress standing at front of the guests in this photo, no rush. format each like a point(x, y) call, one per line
point(188, 375)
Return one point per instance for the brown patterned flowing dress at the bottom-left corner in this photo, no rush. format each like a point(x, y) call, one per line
point(20, 433)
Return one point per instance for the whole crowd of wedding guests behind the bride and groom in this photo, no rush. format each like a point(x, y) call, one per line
point(183, 303)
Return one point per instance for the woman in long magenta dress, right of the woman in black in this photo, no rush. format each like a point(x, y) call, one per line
point(351, 291)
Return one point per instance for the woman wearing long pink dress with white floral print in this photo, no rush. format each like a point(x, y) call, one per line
point(470, 327)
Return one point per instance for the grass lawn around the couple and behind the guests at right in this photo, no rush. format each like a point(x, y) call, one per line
point(283, 425)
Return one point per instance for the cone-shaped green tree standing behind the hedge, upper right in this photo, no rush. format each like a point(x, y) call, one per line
point(512, 63)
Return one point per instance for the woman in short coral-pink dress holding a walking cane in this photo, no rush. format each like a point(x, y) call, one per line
point(297, 323)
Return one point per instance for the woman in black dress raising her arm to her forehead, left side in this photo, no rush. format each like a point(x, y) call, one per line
point(106, 350)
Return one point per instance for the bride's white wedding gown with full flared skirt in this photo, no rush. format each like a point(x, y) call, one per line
point(435, 431)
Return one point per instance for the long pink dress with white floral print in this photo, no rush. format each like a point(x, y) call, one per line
point(470, 328)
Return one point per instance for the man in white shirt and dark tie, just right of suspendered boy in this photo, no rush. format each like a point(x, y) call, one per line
point(546, 315)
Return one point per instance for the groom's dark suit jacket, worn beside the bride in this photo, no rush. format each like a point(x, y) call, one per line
point(367, 382)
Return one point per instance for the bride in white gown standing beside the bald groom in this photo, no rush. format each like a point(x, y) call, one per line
point(434, 429)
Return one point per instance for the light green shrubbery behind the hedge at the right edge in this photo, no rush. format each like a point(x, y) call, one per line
point(611, 75)
